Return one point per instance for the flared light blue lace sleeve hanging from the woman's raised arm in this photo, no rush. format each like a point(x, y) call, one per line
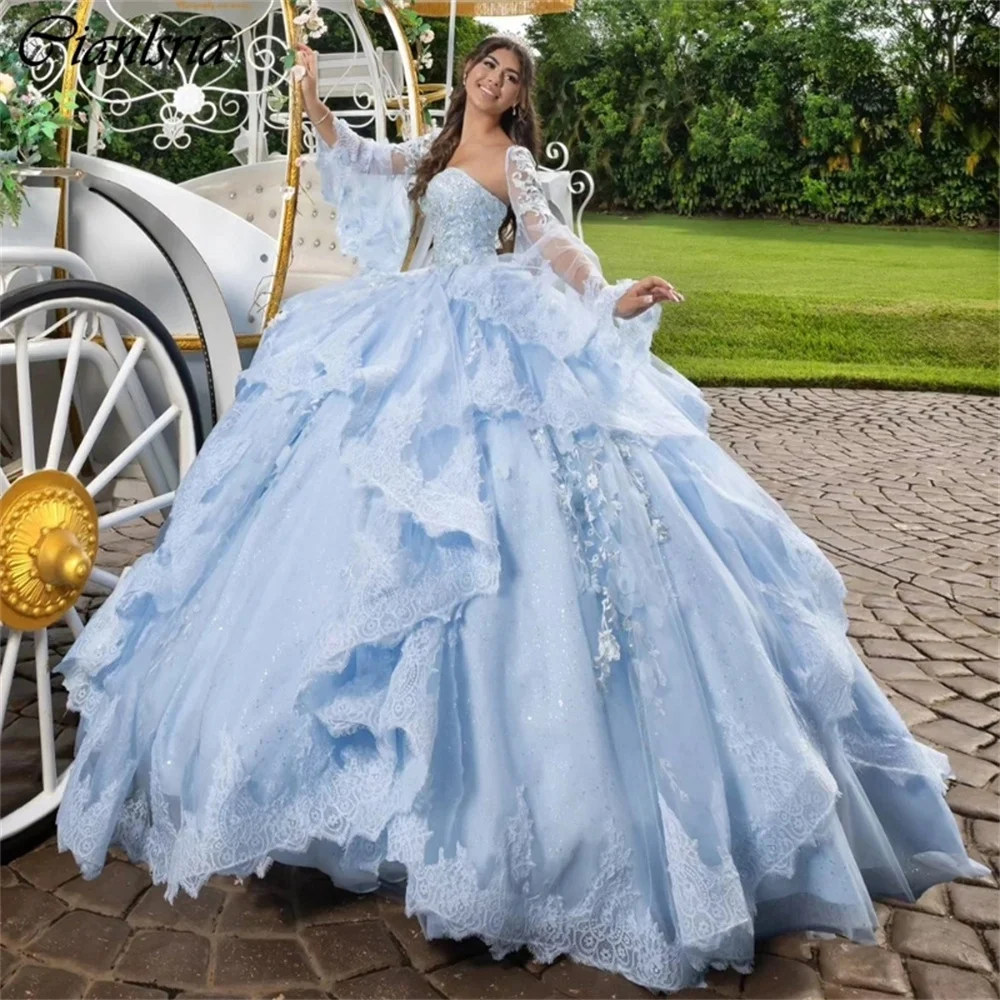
point(367, 182)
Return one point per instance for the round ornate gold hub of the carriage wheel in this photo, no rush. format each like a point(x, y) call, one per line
point(48, 544)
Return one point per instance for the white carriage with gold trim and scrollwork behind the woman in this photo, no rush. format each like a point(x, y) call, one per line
point(130, 304)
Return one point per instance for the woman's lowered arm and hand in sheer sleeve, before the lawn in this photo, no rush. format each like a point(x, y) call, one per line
point(570, 257)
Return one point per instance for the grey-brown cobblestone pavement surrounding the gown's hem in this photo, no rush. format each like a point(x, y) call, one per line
point(899, 489)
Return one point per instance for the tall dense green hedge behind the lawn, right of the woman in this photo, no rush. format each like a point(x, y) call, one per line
point(850, 110)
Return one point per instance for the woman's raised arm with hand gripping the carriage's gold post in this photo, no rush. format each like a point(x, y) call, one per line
point(363, 155)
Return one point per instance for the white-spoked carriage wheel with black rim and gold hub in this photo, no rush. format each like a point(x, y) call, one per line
point(99, 421)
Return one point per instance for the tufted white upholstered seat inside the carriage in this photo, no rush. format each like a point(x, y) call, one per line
point(254, 191)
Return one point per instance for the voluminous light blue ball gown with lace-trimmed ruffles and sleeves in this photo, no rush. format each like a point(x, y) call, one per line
point(460, 587)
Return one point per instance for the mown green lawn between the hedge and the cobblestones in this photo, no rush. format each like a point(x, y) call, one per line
point(770, 302)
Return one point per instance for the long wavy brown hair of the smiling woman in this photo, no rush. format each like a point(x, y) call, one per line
point(519, 122)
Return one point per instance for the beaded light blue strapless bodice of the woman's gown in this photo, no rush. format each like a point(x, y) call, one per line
point(465, 218)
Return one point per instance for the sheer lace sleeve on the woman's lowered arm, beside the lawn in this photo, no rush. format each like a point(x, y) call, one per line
point(543, 242)
